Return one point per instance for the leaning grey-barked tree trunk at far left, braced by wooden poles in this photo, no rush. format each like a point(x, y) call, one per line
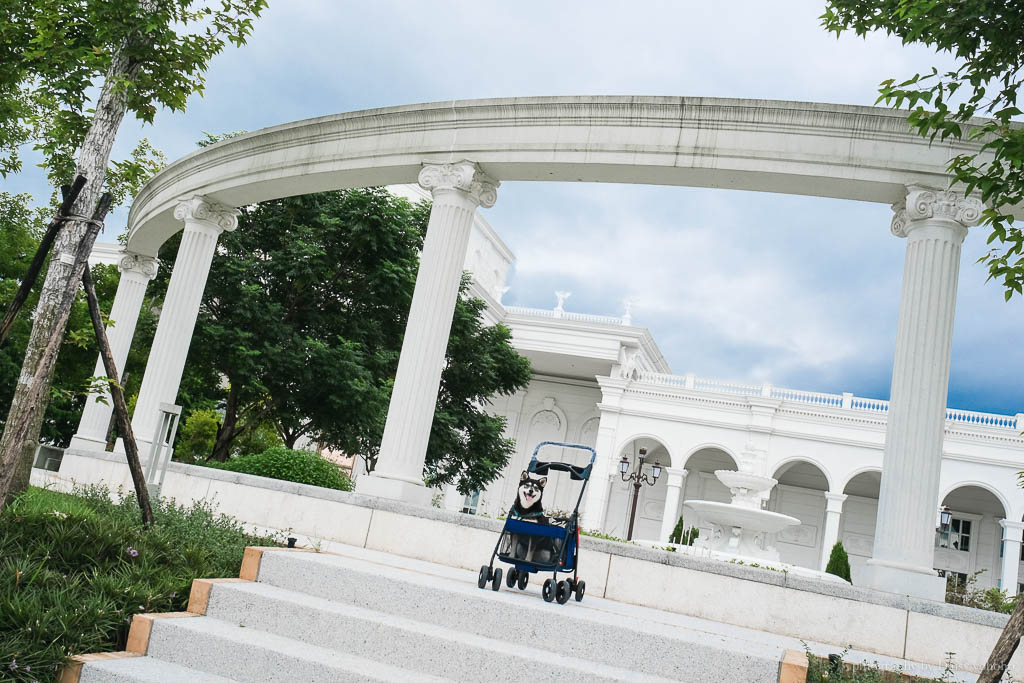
point(25, 418)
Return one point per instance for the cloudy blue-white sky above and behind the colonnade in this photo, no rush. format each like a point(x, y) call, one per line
point(802, 292)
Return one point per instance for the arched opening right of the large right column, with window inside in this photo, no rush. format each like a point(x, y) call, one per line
point(970, 545)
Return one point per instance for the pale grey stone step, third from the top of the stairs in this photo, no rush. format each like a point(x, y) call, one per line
point(249, 656)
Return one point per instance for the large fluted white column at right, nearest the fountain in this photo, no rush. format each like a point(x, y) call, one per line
point(934, 223)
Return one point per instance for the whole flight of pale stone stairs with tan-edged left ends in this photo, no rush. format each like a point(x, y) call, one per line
point(311, 617)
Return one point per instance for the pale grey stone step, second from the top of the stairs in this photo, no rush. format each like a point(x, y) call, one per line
point(450, 653)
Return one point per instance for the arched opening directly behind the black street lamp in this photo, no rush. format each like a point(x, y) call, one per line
point(651, 502)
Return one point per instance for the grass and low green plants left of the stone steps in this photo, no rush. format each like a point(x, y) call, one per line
point(76, 569)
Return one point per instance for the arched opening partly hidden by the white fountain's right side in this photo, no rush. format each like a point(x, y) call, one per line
point(800, 493)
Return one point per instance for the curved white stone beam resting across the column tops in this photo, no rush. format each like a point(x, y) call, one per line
point(845, 152)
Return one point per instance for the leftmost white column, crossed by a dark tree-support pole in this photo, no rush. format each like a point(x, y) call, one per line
point(137, 272)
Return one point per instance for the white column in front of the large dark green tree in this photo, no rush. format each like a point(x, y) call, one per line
point(458, 190)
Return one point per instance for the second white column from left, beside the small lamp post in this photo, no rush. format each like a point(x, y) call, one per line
point(204, 221)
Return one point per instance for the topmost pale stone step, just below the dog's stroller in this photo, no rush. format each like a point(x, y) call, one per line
point(594, 631)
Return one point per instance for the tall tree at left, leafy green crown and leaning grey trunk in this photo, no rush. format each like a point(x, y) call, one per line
point(143, 55)
